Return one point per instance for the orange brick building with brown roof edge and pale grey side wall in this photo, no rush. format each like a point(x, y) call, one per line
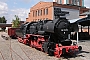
point(45, 11)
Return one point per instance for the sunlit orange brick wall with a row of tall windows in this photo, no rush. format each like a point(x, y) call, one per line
point(41, 11)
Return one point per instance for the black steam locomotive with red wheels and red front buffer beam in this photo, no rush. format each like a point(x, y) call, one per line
point(49, 36)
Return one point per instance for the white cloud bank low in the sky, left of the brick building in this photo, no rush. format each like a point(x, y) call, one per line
point(10, 13)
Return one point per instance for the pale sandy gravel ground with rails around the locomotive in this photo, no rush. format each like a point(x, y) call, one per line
point(13, 50)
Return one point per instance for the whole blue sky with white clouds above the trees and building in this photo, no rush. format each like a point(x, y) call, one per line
point(9, 8)
